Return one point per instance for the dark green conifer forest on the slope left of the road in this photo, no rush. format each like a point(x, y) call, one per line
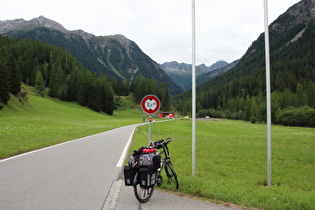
point(44, 66)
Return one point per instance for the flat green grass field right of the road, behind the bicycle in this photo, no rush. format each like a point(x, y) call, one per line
point(231, 162)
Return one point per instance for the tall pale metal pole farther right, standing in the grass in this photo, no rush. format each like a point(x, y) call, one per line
point(269, 163)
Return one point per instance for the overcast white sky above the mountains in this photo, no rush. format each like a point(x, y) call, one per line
point(162, 28)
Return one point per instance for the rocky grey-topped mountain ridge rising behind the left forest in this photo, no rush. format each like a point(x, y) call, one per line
point(116, 56)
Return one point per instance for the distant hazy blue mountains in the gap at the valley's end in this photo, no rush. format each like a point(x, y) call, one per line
point(180, 73)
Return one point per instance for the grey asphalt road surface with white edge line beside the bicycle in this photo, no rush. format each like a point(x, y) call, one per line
point(80, 174)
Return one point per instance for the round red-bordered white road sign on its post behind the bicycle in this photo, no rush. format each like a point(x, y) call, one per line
point(150, 104)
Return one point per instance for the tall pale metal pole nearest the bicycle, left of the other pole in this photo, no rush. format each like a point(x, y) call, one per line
point(193, 91)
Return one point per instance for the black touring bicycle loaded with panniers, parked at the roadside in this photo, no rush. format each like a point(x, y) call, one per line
point(143, 178)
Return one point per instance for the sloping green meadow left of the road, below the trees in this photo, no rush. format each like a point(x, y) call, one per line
point(41, 122)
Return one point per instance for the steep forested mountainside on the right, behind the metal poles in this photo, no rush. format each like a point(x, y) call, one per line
point(240, 92)
